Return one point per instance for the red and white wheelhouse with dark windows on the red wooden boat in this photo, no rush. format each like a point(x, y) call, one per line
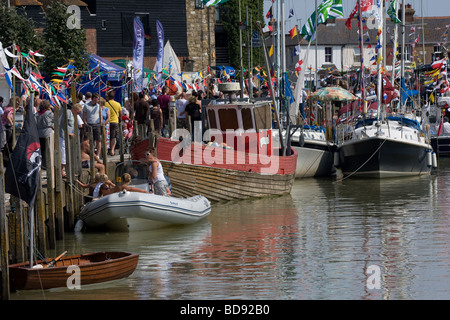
point(246, 125)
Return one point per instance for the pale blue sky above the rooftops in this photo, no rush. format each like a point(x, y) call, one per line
point(304, 8)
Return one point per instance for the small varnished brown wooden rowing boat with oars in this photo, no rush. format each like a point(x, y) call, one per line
point(93, 268)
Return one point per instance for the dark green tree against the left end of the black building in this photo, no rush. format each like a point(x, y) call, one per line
point(62, 44)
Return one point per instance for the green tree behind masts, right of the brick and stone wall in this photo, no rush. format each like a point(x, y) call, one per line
point(230, 20)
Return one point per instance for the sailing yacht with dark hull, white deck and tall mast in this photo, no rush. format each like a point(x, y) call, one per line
point(385, 146)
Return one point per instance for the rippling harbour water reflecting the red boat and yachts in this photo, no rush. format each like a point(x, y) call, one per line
point(328, 239)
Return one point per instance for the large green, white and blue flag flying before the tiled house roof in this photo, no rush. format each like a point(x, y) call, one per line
point(328, 9)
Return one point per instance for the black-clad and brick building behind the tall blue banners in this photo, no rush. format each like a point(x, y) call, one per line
point(188, 25)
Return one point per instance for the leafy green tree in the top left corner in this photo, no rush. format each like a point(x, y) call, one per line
point(17, 28)
